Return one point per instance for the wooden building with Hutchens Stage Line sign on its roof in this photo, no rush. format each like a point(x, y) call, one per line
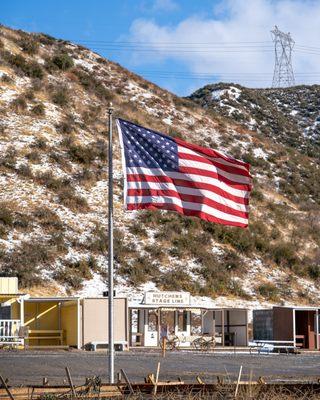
point(173, 313)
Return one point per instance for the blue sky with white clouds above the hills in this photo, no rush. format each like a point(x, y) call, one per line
point(181, 44)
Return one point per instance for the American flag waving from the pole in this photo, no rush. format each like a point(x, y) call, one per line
point(167, 173)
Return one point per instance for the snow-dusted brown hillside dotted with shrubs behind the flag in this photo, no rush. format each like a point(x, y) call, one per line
point(53, 183)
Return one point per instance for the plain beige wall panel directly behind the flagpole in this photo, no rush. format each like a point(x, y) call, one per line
point(95, 320)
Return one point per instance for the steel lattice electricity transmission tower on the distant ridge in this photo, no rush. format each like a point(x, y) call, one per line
point(283, 72)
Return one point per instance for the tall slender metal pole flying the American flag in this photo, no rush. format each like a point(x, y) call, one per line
point(110, 252)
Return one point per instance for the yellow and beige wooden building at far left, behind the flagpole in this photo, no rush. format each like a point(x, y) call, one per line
point(58, 321)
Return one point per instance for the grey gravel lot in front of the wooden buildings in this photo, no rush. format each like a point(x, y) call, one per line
point(29, 367)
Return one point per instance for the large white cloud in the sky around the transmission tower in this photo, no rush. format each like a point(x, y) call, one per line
point(236, 21)
